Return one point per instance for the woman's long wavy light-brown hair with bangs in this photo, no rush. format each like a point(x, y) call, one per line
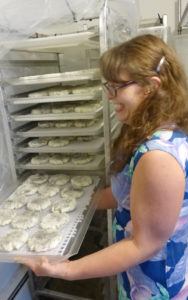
point(164, 105)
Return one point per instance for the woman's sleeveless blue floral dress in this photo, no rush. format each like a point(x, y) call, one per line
point(165, 276)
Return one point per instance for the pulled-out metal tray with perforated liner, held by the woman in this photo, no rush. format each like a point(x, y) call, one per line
point(72, 233)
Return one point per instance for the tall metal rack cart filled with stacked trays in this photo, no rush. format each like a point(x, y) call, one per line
point(23, 92)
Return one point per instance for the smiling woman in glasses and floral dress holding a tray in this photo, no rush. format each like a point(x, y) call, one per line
point(147, 86)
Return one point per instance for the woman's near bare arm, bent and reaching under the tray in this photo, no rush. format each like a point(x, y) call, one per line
point(156, 199)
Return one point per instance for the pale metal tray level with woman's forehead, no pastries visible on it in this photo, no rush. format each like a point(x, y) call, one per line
point(89, 74)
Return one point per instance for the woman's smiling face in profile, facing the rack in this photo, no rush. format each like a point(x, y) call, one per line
point(126, 99)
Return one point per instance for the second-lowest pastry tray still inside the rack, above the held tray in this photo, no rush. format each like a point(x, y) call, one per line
point(96, 145)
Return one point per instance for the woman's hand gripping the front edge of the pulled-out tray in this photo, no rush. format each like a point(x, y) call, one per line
point(44, 268)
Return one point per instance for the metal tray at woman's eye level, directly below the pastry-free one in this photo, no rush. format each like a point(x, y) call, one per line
point(52, 99)
